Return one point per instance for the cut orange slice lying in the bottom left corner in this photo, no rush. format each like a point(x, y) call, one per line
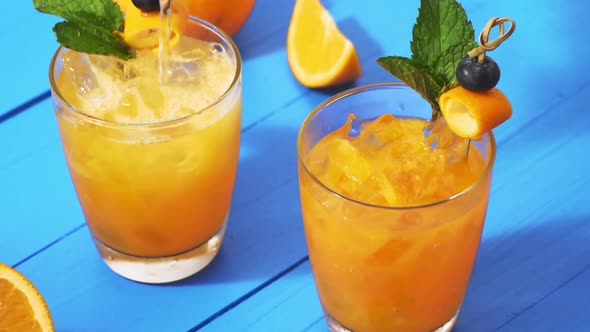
point(22, 308)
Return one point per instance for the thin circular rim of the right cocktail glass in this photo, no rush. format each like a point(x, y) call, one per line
point(384, 85)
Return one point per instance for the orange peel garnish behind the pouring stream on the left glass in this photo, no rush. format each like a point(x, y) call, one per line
point(142, 30)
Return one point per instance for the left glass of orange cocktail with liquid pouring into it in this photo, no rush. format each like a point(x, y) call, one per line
point(153, 161)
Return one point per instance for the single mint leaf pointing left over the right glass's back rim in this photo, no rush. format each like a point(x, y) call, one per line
point(415, 75)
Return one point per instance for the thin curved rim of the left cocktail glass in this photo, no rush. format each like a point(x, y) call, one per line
point(236, 79)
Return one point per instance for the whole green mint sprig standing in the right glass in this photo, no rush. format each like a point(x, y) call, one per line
point(442, 36)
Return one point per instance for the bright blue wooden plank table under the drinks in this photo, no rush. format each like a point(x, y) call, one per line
point(533, 267)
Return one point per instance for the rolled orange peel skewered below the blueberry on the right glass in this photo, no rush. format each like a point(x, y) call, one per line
point(471, 114)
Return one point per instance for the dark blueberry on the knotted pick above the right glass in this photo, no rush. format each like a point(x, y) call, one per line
point(478, 77)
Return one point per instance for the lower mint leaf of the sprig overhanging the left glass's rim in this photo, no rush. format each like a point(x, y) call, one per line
point(88, 39)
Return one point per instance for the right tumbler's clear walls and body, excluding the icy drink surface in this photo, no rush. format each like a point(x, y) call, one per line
point(380, 268)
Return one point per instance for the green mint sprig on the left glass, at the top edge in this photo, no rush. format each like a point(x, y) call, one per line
point(91, 26)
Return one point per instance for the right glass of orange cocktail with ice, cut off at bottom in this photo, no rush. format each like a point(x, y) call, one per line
point(393, 208)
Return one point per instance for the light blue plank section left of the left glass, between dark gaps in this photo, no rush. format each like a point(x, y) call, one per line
point(38, 204)
